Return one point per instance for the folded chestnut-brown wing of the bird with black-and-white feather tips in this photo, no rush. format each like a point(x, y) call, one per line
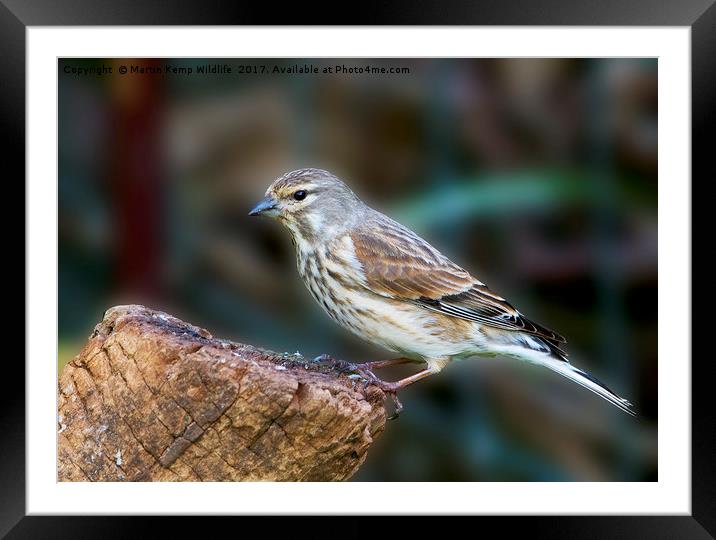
point(397, 263)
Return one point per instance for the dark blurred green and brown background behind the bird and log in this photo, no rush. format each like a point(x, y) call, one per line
point(537, 175)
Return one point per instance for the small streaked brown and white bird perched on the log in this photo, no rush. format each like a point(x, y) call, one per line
point(390, 287)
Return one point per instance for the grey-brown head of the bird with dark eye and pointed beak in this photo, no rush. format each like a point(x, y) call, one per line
point(309, 201)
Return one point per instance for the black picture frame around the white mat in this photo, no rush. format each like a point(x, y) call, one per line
point(700, 15)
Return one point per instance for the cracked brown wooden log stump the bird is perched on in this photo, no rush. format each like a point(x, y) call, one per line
point(152, 398)
